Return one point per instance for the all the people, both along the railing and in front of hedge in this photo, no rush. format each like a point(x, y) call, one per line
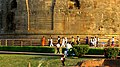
point(93, 41)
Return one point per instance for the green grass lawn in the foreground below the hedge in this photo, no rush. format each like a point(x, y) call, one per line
point(12, 60)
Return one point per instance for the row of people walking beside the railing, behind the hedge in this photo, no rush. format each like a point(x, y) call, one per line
point(93, 41)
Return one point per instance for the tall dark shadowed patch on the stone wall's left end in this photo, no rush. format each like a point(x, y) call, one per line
point(10, 24)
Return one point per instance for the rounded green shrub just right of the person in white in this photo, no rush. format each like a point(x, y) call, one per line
point(80, 50)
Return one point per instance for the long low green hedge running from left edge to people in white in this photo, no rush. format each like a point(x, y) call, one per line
point(40, 49)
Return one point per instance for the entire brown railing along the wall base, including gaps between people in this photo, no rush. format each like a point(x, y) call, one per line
point(37, 42)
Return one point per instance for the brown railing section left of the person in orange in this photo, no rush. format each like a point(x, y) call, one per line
point(20, 42)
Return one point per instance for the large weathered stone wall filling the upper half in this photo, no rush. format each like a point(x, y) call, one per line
point(63, 17)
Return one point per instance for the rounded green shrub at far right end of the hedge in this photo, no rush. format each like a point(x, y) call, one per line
point(111, 52)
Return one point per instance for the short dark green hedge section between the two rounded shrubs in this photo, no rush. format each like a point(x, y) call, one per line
point(96, 51)
